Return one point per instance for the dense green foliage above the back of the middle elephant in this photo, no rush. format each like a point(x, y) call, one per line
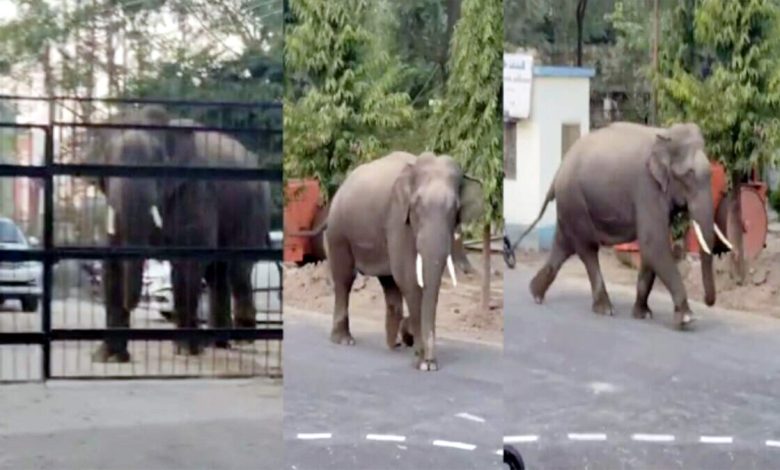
point(342, 97)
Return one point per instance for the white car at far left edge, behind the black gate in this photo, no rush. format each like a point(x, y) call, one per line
point(19, 280)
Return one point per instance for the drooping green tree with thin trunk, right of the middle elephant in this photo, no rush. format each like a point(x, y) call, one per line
point(468, 126)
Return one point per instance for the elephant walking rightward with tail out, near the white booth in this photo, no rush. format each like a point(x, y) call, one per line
point(625, 182)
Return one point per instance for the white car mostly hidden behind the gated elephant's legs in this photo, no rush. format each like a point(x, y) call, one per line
point(266, 282)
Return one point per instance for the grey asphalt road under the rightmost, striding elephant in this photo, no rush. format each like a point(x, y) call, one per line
point(584, 391)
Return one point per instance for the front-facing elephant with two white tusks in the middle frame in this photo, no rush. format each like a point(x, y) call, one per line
point(384, 214)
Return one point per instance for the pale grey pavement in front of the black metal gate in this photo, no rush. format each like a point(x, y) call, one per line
point(198, 424)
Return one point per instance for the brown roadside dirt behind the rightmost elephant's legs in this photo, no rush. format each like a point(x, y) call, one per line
point(758, 295)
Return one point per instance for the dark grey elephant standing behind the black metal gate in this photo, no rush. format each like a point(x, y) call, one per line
point(194, 213)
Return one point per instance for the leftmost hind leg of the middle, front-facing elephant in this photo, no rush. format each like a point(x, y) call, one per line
point(342, 267)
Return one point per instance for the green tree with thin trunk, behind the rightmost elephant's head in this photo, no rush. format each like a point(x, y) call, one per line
point(726, 78)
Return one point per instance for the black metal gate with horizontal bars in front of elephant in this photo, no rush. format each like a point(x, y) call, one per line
point(50, 343)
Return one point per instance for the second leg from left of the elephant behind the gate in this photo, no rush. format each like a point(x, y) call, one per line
point(186, 276)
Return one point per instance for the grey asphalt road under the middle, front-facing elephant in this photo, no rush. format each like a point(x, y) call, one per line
point(336, 396)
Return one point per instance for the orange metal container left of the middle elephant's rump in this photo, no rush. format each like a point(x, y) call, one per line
point(302, 200)
